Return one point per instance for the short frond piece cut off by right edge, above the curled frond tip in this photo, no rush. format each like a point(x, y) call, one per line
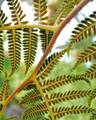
point(91, 72)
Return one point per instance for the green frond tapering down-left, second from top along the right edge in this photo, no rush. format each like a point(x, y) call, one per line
point(88, 54)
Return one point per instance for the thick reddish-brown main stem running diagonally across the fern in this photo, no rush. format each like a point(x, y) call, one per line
point(56, 34)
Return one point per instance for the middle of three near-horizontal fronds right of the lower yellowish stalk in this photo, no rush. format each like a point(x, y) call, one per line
point(70, 95)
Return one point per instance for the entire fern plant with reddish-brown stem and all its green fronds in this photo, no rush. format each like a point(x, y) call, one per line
point(43, 99)
